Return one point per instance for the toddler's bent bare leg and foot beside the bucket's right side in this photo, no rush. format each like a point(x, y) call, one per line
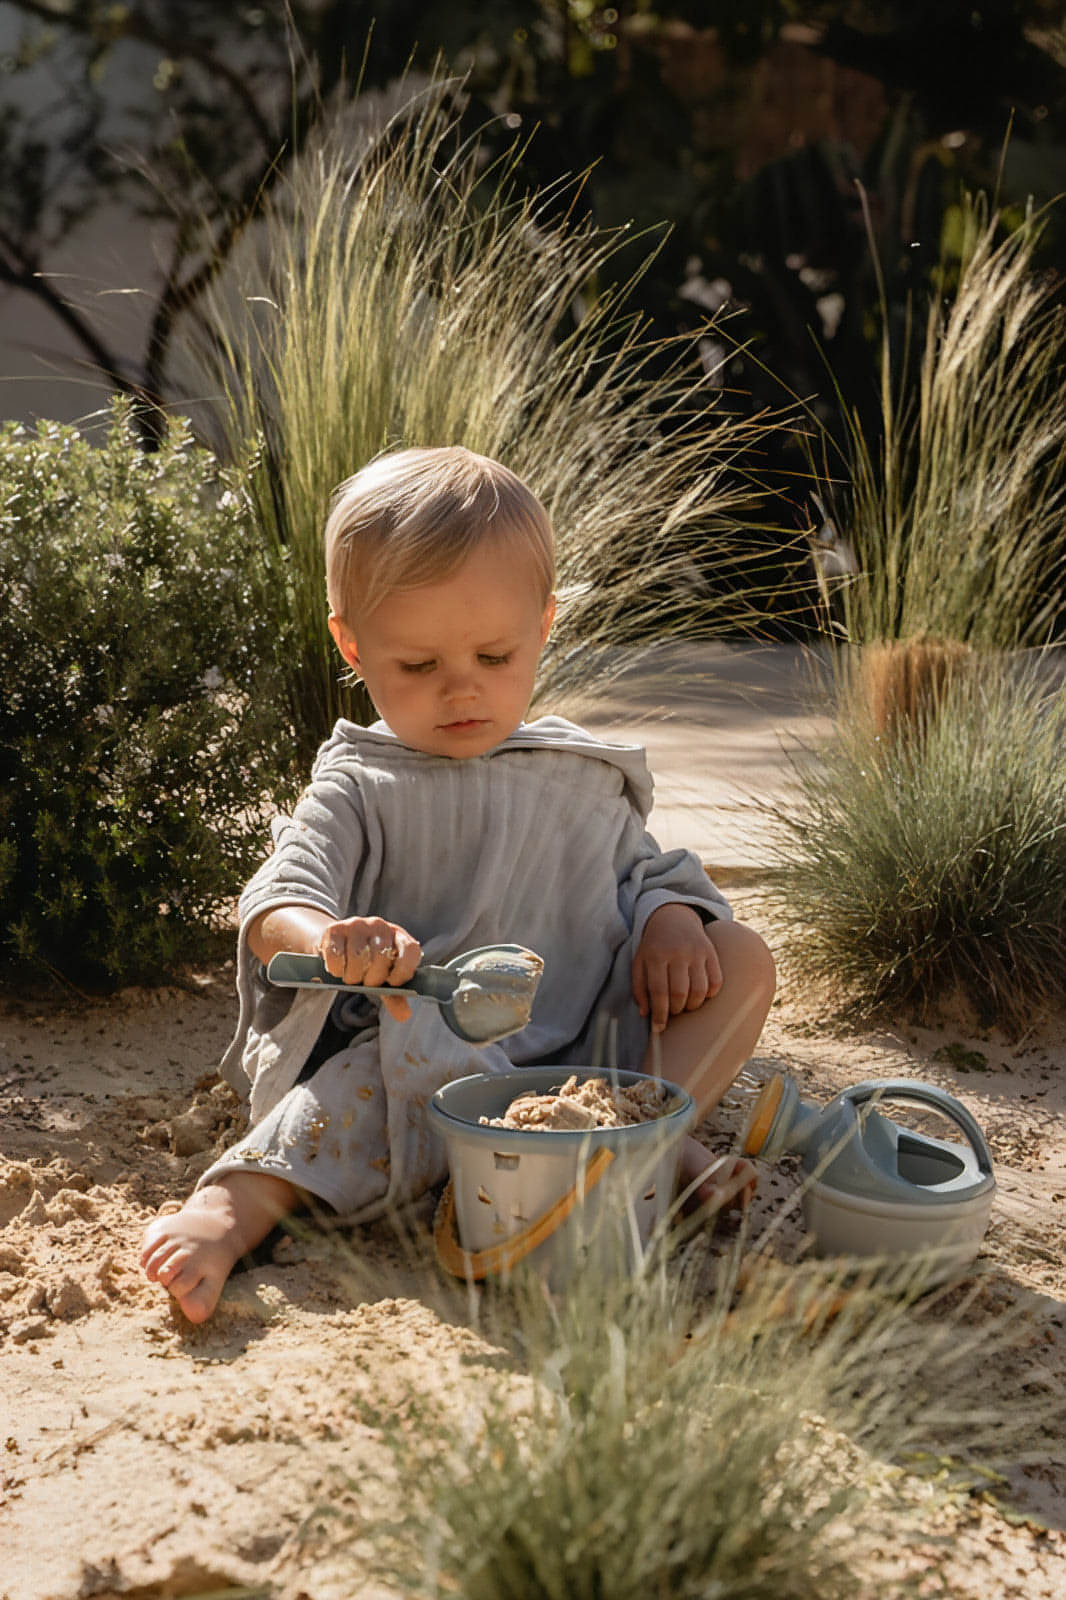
point(705, 1050)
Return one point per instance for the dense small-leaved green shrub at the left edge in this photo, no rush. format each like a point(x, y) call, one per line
point(137, 724)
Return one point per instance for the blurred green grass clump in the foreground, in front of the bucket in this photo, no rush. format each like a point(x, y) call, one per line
point(646, 1439)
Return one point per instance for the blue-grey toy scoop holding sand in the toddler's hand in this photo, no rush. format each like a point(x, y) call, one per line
point(483, 994)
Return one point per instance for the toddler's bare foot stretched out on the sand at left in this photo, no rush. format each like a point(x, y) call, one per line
point(194, 1250)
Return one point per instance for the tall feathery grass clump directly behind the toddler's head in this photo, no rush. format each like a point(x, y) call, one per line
point(407, 295)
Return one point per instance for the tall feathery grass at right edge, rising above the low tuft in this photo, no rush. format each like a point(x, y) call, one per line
point(956, 524)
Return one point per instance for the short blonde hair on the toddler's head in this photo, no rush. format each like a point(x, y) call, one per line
point(414, 516)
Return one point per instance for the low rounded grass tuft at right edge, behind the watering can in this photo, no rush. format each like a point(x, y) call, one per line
point(929, 855)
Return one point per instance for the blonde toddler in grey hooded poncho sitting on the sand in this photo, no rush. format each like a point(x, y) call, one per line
point(449, 825)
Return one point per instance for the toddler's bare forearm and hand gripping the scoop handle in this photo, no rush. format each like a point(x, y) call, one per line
point(356, 950)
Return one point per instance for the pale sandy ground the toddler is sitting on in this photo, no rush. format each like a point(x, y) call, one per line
point(140, 1457)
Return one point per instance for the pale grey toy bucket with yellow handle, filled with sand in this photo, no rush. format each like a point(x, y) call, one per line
point(547, 1196)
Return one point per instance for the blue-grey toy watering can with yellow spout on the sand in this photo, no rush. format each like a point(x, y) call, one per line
point(875, 1188)
